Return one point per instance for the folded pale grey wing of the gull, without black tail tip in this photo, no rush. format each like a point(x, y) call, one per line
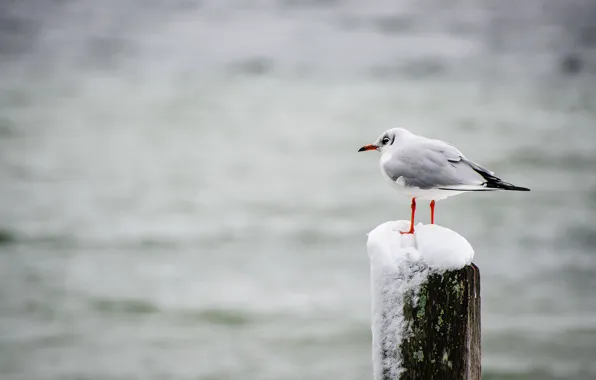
point(431, 164)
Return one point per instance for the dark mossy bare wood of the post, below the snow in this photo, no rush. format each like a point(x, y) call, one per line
point(442, 335)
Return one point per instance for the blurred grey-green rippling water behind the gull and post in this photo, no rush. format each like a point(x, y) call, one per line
point(181, 197)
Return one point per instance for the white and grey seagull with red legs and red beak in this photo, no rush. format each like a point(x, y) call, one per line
point(428, 169)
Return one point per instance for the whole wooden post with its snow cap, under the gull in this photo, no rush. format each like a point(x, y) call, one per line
point(426, 304)
